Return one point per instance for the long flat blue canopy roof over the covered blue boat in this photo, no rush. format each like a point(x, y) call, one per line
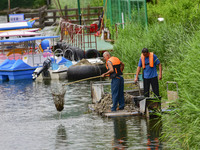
point(18, 40)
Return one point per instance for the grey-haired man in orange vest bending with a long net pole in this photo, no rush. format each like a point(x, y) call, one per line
point(115, 68)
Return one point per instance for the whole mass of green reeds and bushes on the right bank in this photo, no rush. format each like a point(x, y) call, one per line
point(176, 43)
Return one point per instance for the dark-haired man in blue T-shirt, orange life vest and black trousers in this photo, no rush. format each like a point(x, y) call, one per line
point(148, 61)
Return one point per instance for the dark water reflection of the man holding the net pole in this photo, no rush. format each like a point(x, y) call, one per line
point(120, 133)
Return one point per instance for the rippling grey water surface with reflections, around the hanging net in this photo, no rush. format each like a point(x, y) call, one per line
point(29, 120)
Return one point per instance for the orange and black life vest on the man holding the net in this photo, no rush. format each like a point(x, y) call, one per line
point(116, 66)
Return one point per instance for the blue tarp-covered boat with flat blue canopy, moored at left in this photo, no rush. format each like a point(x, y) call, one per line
point(31, 58)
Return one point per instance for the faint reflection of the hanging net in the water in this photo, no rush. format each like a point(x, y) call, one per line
point(61, 137)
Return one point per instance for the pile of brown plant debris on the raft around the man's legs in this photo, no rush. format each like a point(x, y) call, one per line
point(105, 103)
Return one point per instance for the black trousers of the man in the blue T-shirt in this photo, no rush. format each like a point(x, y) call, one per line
point(154, 84)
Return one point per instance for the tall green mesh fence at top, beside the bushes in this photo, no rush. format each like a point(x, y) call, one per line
point(121, 11)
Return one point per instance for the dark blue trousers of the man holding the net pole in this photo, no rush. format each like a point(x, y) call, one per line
point(117, 89)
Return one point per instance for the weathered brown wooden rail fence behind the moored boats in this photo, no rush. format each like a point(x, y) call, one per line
point(48, 17)
